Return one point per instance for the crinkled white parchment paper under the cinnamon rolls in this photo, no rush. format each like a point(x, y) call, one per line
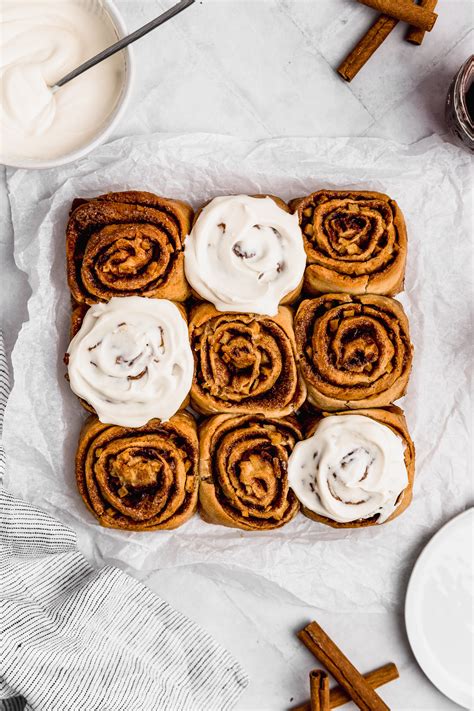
point(335, 570)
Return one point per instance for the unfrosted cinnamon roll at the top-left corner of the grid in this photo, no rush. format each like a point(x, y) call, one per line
point(127, 244)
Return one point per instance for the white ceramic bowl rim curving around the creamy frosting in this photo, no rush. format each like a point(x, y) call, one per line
point(114, 118)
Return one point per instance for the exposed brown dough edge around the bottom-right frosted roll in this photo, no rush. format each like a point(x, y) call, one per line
point(394, 418)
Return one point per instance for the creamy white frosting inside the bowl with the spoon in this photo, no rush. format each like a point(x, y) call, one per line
point(40, 42)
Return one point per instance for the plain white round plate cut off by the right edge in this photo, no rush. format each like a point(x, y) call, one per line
point(439, 609)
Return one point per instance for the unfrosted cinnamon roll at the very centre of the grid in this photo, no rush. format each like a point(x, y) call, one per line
point(244, 363)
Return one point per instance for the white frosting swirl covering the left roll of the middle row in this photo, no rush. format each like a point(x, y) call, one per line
point(131, 360)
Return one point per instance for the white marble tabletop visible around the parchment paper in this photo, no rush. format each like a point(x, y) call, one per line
point(260, 68)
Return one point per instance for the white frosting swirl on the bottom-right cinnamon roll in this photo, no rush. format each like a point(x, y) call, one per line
point(351, 468)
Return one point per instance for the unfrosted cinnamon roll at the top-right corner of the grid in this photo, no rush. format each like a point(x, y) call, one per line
point(356, 242)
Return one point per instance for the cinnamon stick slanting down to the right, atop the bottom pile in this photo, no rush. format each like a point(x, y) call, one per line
point(335, 661)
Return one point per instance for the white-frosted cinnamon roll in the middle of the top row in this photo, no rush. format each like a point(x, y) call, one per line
point(245, 254)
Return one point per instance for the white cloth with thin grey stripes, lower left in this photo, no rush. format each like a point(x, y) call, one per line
point(74, 638)
